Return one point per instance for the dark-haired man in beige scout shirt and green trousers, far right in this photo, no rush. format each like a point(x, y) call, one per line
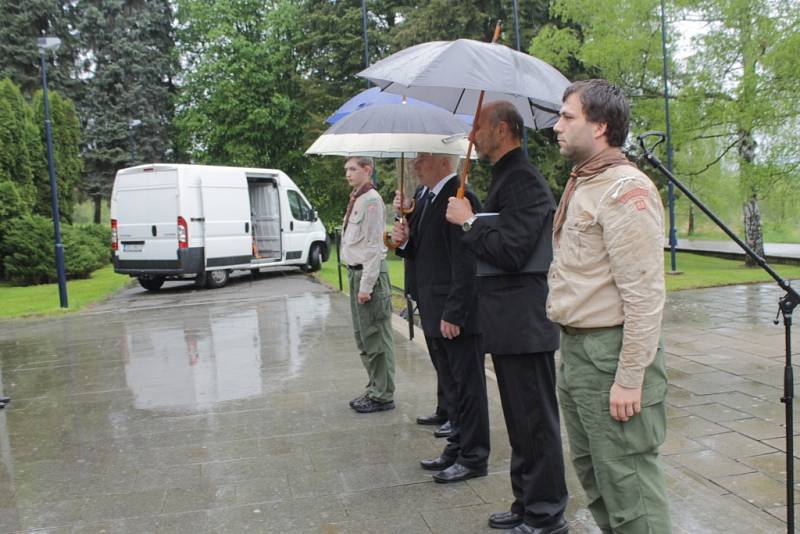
point(607, 294)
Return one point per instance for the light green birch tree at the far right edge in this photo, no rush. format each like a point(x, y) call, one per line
point(748, 94)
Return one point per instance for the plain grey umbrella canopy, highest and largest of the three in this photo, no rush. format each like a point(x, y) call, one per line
point(451, 75)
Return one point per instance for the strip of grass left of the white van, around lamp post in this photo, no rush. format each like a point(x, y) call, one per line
point(43, 299)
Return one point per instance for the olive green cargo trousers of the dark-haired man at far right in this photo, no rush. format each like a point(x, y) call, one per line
point(617, 463)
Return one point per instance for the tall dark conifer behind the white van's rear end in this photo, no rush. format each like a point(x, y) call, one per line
point(128, 66)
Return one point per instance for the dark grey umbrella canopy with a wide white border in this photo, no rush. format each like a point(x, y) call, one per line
point(392, 131)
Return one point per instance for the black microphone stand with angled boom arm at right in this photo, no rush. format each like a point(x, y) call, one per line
point(786, 306)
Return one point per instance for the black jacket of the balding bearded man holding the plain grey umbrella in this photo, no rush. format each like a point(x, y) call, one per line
point(512, 311)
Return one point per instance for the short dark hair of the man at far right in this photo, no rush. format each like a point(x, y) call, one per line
point(603, 102)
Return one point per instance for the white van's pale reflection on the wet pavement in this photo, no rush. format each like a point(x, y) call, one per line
point(218, 355)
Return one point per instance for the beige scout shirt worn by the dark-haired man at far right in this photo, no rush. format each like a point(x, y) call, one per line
point(608, 266)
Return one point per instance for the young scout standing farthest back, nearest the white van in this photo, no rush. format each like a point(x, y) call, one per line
point(364, 253)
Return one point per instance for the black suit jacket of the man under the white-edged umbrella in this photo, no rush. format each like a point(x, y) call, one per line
point(444, 268)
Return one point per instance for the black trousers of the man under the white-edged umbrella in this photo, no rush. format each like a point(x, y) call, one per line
point(463, 376)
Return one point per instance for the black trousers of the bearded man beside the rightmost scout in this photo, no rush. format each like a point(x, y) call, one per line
point(527, 384)
